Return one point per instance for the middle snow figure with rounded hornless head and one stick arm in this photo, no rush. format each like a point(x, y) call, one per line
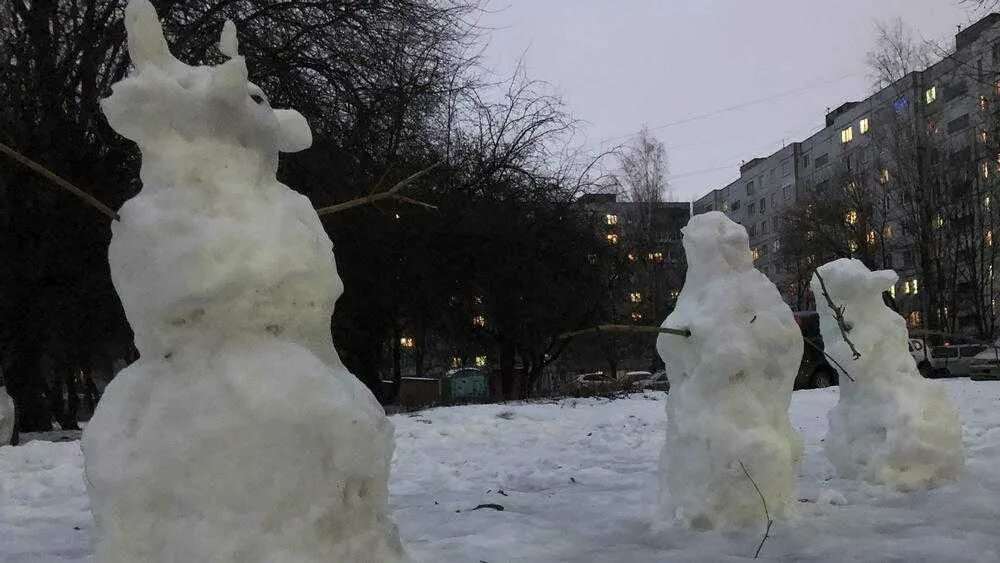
point(730, 386)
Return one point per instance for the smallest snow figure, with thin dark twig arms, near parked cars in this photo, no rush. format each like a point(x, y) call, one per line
point(891, 426)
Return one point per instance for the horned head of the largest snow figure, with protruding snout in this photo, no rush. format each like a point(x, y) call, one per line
point(167, 105)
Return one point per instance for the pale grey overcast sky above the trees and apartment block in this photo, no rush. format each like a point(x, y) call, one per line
point(619, 64)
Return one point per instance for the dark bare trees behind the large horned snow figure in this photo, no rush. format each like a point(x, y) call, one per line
point(389, 89)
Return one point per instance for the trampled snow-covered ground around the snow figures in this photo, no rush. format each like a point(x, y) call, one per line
point(579, 484)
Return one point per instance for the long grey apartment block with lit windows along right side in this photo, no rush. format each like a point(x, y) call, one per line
point(947, 113)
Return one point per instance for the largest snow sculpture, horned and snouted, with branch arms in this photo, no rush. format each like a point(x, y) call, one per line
point(238, 435)
